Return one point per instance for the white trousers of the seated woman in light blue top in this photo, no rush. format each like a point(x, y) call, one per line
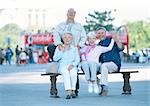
point(70, 78)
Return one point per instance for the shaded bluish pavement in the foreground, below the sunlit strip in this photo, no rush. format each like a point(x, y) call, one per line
point(38, 95)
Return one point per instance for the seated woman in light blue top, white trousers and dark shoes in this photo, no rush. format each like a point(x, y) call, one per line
point(68, 57)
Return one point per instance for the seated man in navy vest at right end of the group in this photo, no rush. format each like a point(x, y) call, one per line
point(110, 61)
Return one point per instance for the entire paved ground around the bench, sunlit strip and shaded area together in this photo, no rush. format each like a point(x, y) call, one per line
point(28, 88)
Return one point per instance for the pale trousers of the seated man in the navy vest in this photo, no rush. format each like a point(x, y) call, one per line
point(106, 68)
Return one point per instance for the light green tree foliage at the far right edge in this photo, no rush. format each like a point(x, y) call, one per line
point(139, 35)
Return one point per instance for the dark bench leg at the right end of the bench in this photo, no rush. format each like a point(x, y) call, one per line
point(126, 86)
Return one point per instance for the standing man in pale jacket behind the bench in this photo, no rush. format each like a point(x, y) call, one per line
point(70, 26)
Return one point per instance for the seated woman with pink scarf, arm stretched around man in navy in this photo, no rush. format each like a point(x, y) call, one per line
point(90, 60)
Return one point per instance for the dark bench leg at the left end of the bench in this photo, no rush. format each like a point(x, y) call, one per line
point(53, 89)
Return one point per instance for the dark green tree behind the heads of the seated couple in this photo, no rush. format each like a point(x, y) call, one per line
point(97, 19)
